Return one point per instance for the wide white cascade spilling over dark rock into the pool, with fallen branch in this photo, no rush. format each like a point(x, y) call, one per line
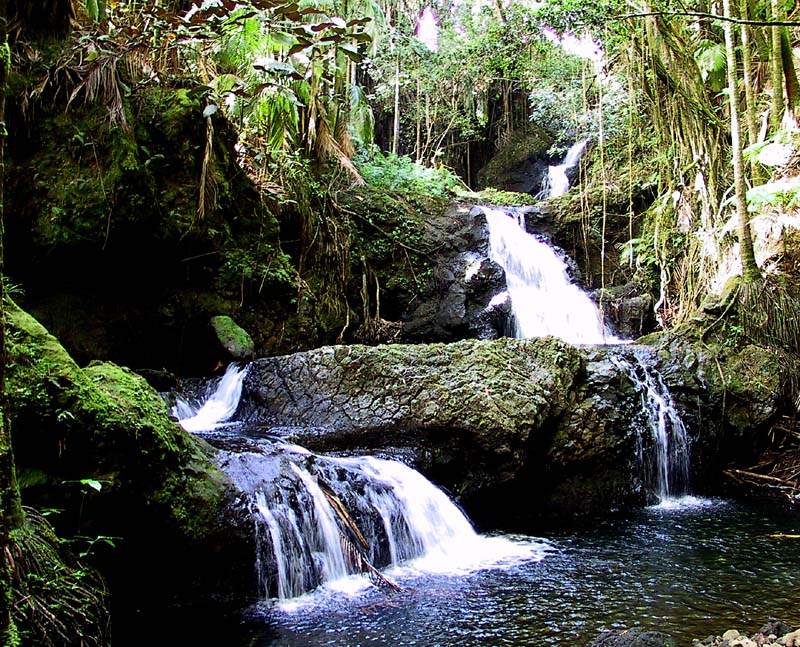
point(409, 525)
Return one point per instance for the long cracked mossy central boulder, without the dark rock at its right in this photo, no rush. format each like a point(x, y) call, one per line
point(469, 409)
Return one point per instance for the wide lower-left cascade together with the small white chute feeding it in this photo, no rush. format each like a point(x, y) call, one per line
point(320, 519)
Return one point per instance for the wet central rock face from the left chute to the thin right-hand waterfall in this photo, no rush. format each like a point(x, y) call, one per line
point(488, 420)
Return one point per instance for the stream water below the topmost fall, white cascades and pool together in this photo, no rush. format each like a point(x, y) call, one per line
point(366, 551)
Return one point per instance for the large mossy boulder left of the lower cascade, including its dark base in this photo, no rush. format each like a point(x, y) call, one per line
point(98, 445)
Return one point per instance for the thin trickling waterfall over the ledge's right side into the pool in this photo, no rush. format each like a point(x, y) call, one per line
point(666, 464)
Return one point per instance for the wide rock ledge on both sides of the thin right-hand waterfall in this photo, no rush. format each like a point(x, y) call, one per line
point(518, 430)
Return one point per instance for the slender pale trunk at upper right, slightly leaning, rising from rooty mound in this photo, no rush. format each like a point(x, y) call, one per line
point(749, 266)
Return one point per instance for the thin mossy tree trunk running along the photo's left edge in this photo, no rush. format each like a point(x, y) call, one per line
point(10, 507)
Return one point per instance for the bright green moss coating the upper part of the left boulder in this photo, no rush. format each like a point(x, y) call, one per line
point(104, 422)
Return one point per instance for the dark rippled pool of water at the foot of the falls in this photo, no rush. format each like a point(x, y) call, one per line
point(689, 572)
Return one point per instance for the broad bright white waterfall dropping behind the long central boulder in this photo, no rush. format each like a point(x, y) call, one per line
point(543, 299)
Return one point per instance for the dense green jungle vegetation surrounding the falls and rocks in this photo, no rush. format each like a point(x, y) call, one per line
point(284, 156)
